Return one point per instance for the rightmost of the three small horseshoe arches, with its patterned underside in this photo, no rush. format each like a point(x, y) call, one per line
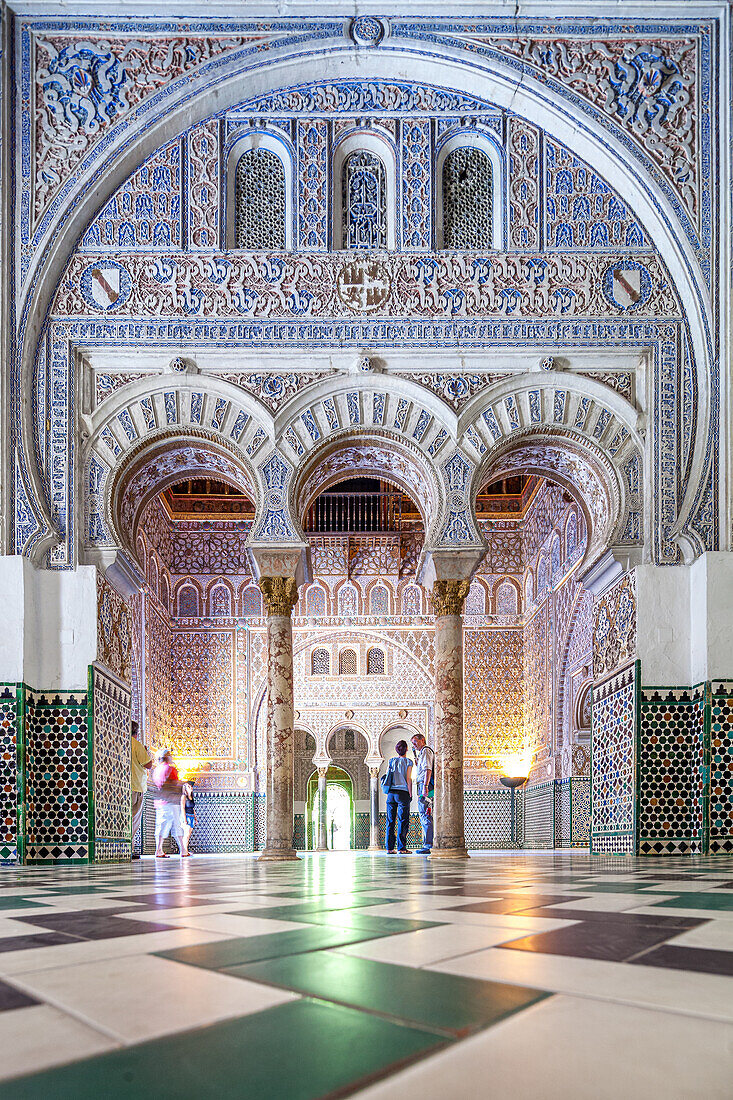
point(600, 427)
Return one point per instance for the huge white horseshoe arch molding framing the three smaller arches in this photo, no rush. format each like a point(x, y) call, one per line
point(218, 86)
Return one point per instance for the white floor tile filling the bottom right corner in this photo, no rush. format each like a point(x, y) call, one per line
point(566, 1049)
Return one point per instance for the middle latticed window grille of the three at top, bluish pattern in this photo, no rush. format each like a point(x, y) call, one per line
point(364, 207)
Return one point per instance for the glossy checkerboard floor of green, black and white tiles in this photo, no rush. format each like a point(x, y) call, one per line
point(524, 975)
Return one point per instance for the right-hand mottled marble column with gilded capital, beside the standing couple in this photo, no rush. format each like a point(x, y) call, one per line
point(448, 599)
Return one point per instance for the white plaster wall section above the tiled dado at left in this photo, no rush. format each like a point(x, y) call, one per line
point(50, 631)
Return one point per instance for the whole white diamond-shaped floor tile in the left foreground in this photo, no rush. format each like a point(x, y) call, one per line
point(143, 997)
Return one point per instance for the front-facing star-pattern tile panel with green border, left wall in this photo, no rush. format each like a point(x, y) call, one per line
point(58, 776)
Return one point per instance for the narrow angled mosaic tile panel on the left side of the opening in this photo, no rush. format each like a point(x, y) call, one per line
point(111, 708)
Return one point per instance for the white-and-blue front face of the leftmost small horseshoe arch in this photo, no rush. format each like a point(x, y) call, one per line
point(169, 408)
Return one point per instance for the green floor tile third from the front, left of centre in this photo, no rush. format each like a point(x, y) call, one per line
point(228, 953)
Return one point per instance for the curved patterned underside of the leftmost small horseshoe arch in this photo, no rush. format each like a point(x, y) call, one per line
point(125, 492)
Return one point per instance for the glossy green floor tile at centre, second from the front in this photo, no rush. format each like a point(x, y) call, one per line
point(448, 1004)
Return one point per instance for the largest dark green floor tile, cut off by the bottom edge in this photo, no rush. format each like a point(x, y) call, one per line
point(296, 1052)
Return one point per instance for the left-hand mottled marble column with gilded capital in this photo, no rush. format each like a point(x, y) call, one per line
point(281, 595)
